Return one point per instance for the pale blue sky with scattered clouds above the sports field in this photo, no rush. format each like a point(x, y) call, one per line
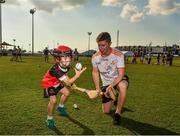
point(68, 21)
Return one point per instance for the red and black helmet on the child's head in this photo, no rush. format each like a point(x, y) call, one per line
point(62, 51)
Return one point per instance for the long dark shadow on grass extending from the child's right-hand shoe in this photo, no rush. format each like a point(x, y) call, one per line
point(86, 130)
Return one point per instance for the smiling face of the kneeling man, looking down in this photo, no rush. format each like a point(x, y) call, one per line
point(104, 47)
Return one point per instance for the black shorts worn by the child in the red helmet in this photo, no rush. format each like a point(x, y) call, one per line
point(52, 90)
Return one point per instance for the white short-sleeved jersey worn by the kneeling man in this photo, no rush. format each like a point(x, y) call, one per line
point(108, 66)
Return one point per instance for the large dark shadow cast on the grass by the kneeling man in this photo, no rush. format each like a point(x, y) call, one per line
point(137, 127)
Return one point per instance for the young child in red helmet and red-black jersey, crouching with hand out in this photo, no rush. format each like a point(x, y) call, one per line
point(56, 79)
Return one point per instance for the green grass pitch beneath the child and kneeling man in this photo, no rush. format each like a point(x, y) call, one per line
point(152, 104)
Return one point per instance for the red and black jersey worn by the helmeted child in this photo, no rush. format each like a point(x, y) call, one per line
point(54, 76)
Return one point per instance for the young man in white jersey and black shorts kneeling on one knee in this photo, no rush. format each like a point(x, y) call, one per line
point(109, 63)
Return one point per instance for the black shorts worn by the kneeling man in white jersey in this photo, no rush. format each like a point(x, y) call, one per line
point(103, 88)
